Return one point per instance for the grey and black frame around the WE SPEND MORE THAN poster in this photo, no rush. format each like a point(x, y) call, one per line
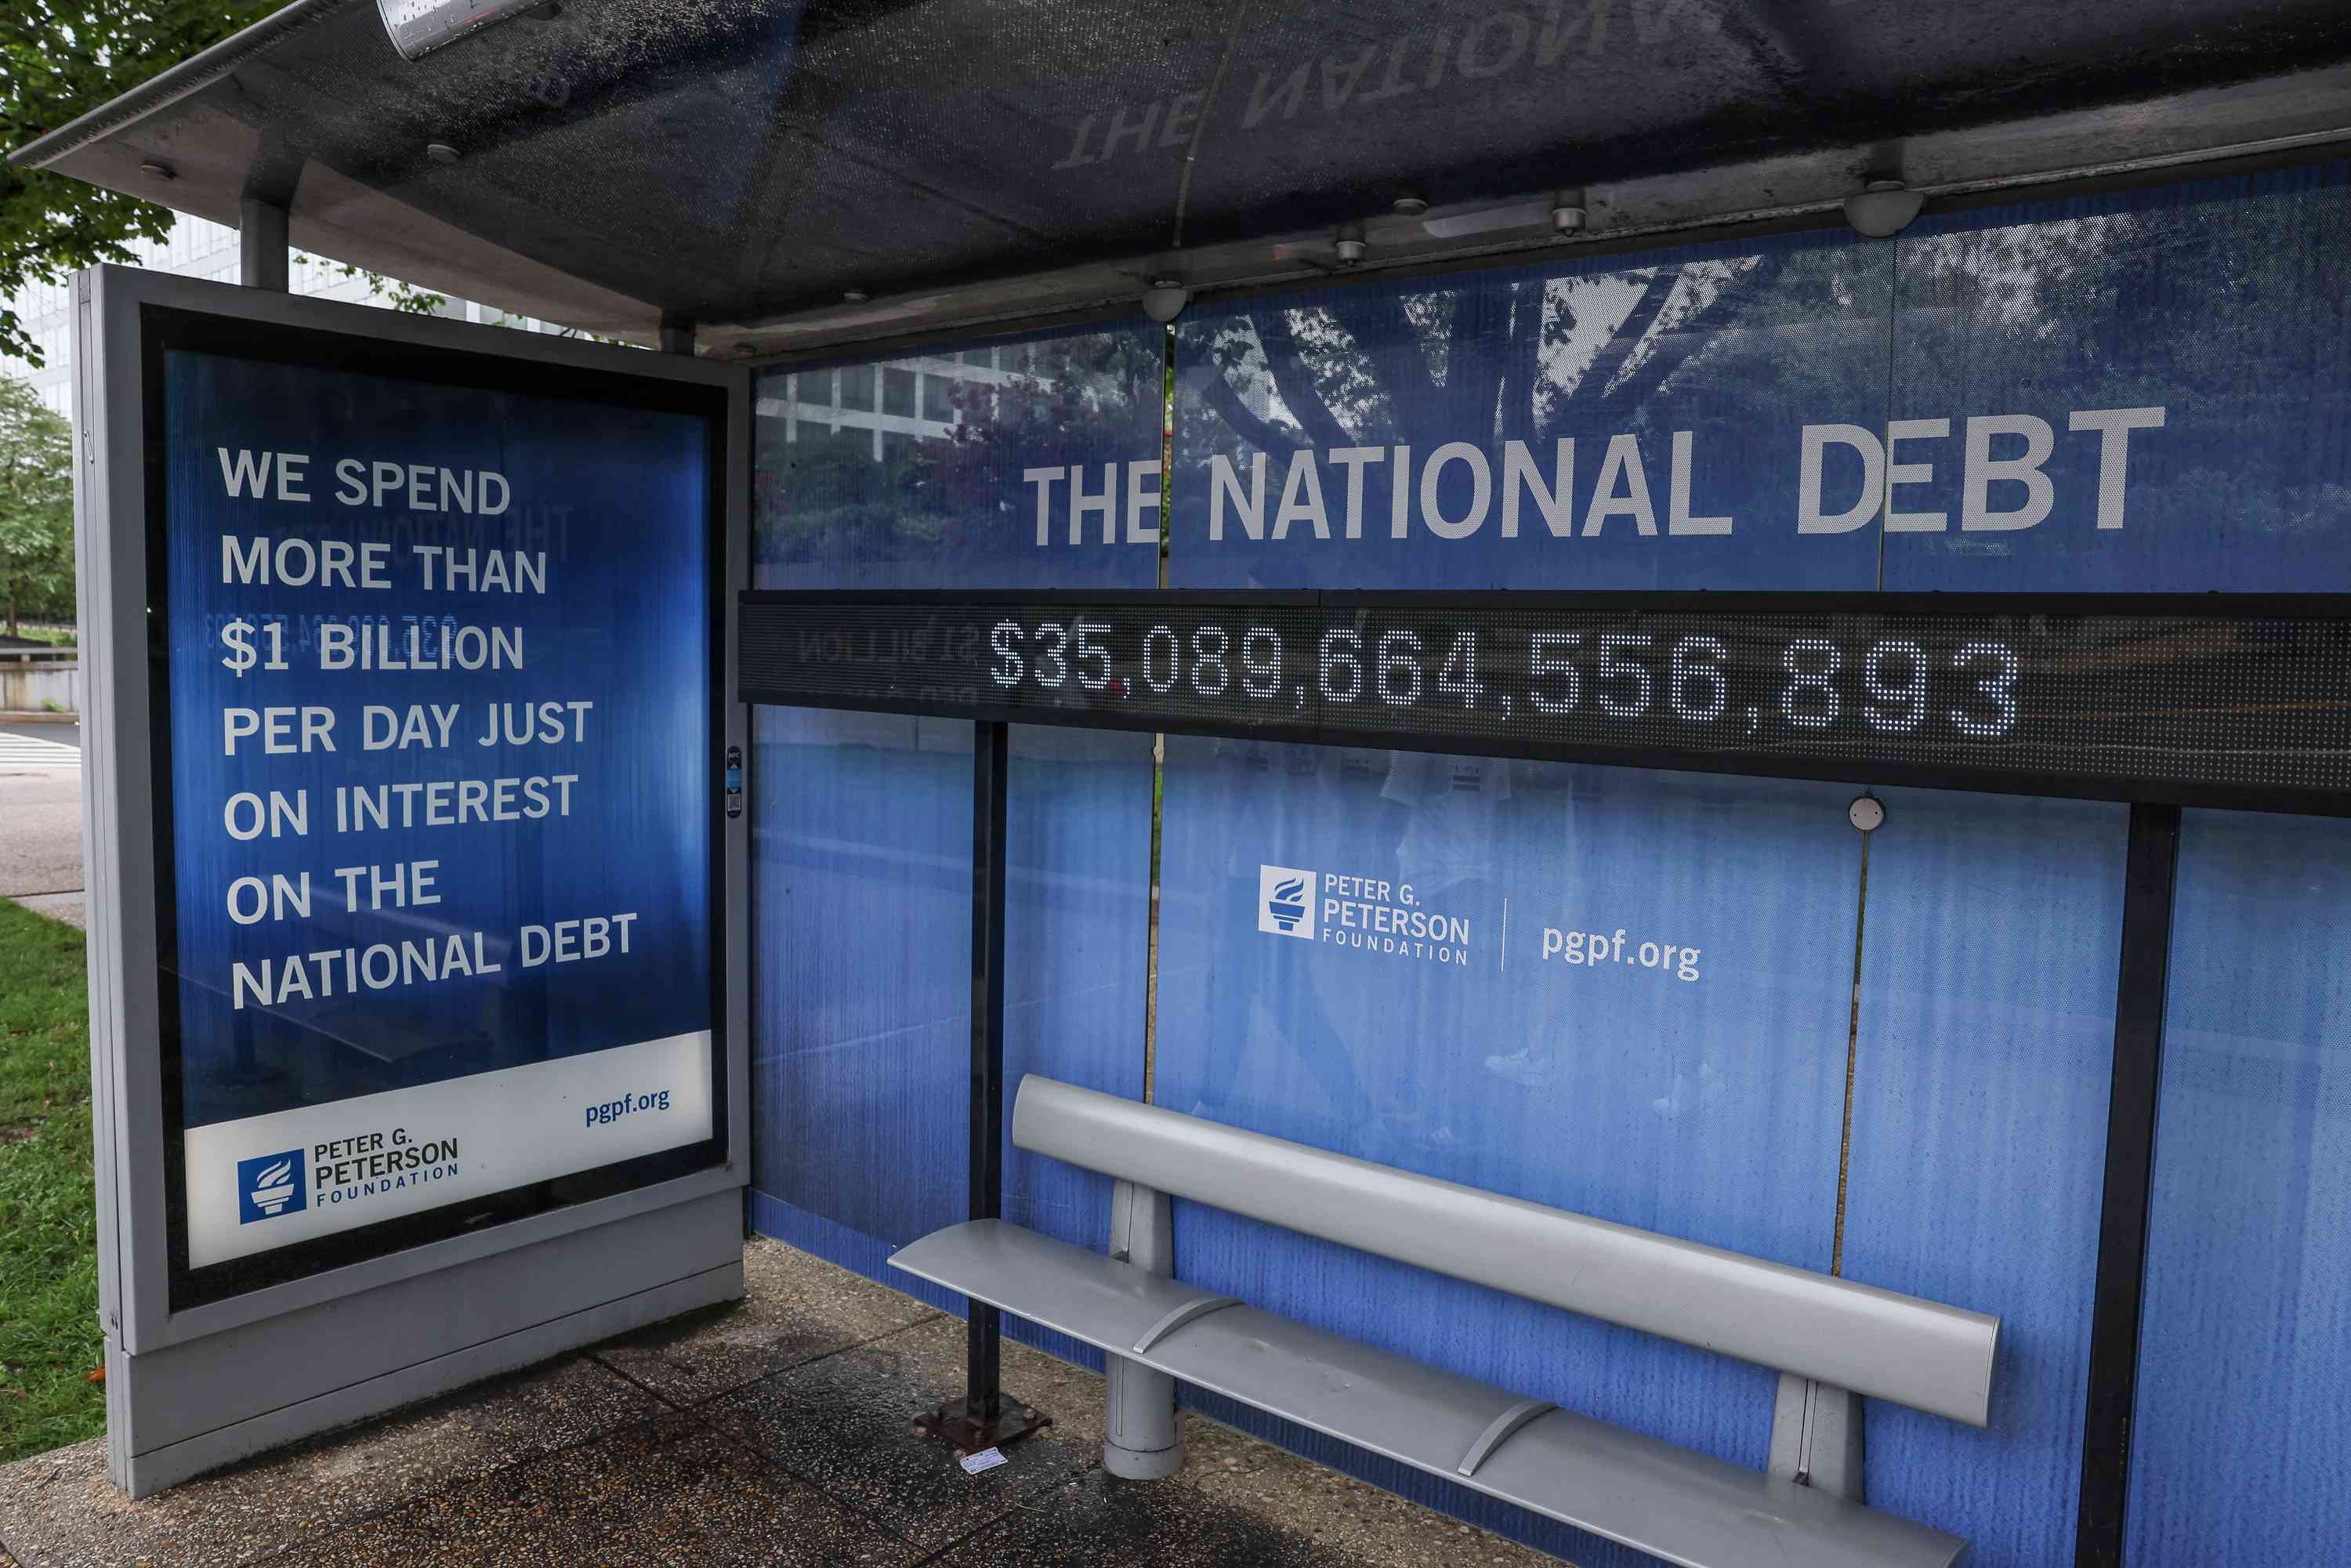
point(119, 511)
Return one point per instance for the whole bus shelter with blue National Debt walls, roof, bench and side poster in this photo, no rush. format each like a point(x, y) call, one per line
point(1633, 704)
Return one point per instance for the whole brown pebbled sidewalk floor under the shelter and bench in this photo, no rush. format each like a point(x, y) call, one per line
point(768, 1433)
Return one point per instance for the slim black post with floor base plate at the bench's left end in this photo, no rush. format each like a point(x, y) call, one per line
point(984, 1416)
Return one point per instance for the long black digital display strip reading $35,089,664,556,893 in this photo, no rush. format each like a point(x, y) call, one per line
point(2176, 699)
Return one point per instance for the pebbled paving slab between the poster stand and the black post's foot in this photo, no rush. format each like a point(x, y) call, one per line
point(796, 1311)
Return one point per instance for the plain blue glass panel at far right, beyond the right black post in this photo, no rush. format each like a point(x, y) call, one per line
point(2244, 1407)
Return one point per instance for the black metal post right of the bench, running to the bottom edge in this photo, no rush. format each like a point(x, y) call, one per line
point(2150, 866)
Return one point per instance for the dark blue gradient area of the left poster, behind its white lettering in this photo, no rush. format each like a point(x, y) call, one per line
point(619, 502)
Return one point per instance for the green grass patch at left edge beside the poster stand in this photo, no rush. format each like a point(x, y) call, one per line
point(48, 1200)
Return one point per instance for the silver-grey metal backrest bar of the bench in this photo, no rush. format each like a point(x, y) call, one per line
point(1854, 1336)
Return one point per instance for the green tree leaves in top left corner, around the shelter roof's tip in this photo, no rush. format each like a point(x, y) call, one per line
point(62, 60)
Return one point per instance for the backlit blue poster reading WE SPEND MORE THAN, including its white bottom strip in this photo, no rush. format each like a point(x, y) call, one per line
point(438, 796)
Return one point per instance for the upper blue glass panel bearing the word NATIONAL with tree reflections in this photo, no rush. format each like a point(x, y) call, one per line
point(1598, 424)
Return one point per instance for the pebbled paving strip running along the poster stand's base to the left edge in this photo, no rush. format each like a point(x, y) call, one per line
point(62, 1513)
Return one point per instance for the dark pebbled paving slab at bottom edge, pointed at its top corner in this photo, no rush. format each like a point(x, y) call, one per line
point(664, 1492)
